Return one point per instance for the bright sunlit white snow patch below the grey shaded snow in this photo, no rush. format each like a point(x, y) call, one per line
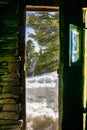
point(40, 109)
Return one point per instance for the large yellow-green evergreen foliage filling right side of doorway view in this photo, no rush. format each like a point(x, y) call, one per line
point(46, 34)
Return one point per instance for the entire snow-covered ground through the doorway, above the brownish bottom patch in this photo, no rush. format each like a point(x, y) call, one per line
point(42, 96)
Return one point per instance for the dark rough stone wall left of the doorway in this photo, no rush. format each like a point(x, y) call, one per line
point(10, 89)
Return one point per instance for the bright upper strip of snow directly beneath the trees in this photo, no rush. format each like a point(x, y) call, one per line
point(43, 80)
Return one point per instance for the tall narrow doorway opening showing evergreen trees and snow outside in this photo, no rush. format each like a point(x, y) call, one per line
point(42, 64)
